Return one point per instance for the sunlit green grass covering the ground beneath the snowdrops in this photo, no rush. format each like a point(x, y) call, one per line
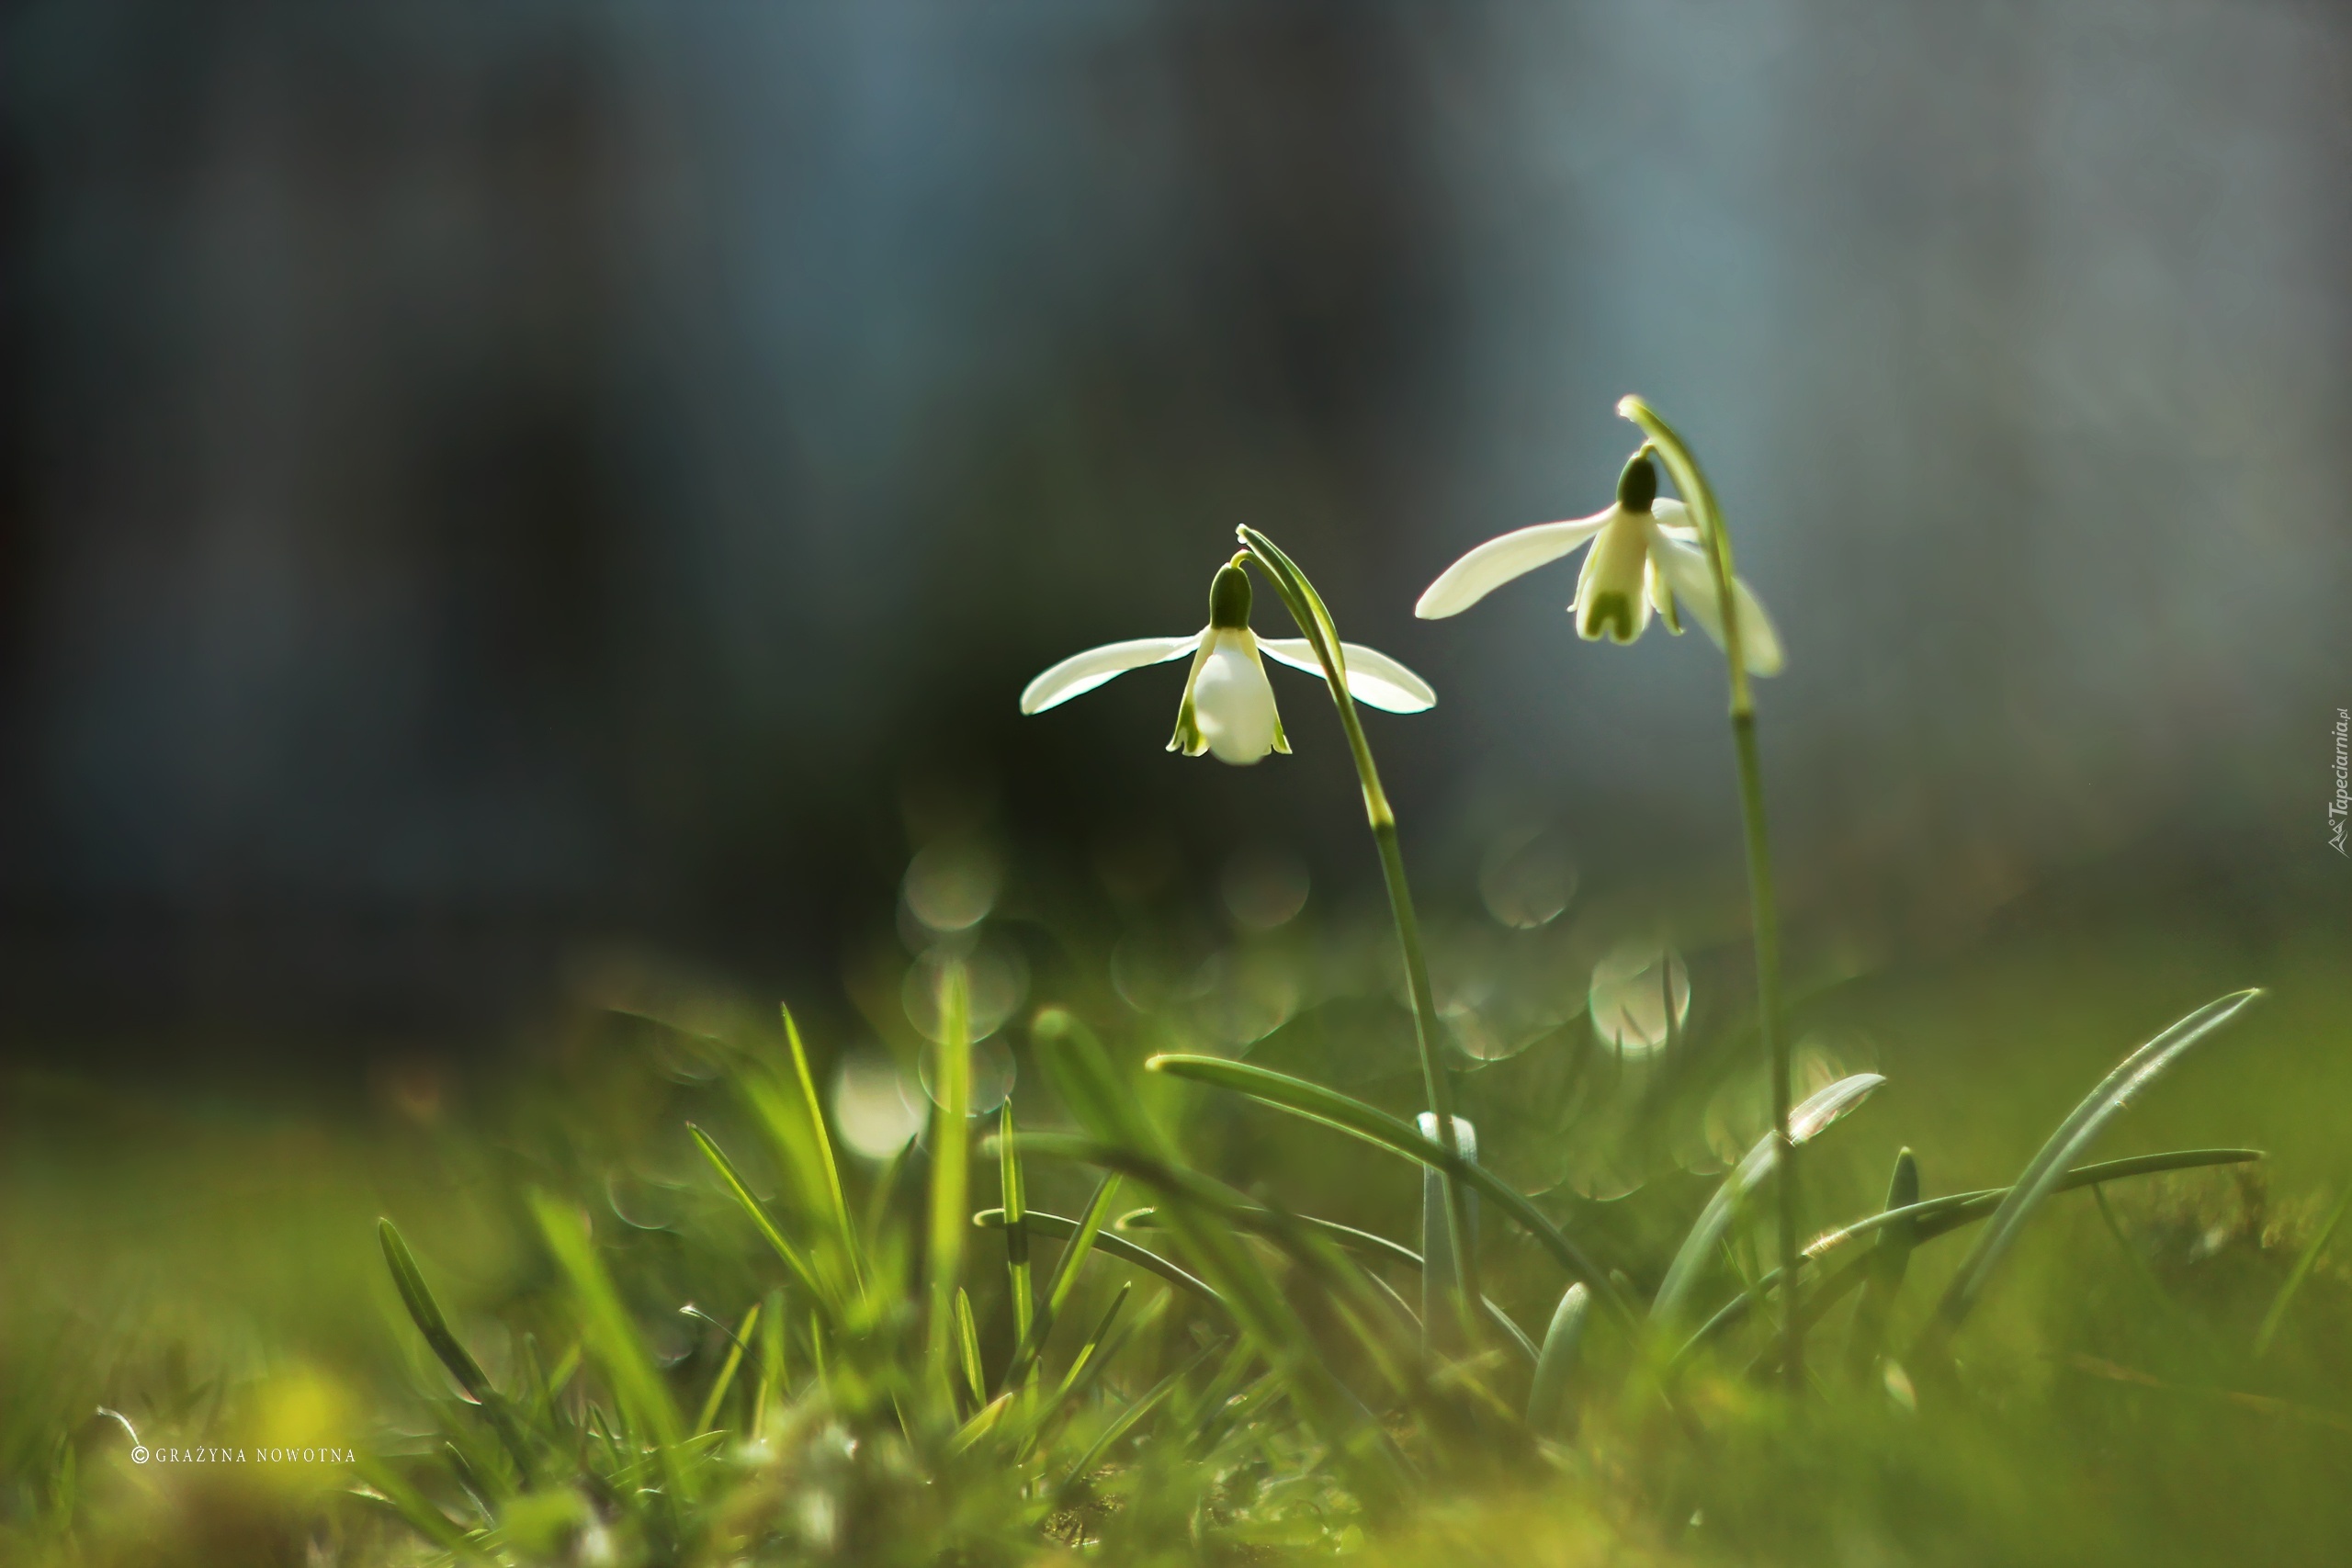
point(218, 1280)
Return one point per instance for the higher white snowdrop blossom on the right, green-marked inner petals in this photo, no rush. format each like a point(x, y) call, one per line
point(1645, 558)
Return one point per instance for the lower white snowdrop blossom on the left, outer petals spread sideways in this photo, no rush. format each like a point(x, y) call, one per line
point(1229, 709)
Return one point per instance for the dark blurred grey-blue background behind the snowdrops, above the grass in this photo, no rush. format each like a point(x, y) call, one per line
point(505, 483)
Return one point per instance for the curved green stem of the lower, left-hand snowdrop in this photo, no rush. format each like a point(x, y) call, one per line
point(1436, 1078)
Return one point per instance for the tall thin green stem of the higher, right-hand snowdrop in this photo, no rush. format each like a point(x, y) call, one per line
point(1760, 887)
